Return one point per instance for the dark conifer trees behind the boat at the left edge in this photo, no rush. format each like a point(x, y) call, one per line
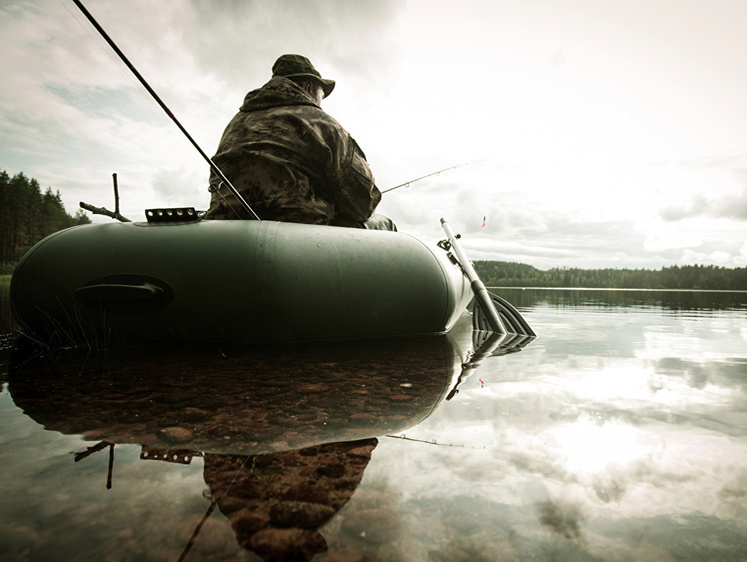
point(27, 215)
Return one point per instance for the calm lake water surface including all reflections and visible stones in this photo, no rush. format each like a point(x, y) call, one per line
point(620, 433)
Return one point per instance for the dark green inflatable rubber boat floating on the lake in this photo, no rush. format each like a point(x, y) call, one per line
point(234, 282)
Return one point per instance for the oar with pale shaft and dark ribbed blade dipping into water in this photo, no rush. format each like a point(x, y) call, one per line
point(492, 313)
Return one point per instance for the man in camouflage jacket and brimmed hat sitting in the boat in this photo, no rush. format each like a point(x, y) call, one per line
point(290, 160)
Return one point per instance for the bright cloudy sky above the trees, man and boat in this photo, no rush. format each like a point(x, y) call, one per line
point(588, 133)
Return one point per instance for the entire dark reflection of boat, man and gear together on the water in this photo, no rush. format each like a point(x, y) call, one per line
point(285, 433)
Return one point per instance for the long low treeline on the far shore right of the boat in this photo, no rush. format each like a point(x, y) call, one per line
point(703, 277)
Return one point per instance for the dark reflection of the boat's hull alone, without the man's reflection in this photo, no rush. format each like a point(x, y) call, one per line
point(237, 401)
